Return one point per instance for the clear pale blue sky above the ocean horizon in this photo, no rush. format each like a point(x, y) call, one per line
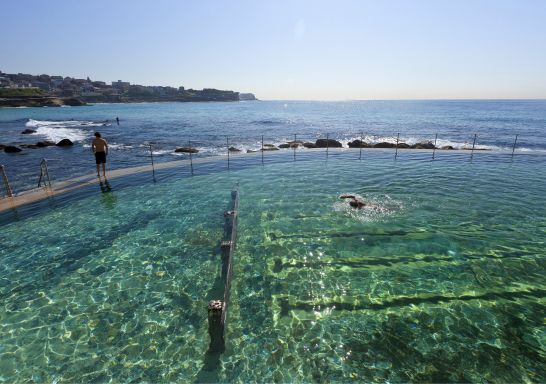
point(320, 50)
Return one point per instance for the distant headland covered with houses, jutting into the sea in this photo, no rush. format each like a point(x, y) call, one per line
point(24, 90)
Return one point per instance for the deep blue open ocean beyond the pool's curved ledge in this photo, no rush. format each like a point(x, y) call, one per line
point(211, 127)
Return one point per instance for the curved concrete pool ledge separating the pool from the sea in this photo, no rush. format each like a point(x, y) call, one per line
point(61, 187)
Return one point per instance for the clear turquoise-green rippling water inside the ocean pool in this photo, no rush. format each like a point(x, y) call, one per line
point(441, 281)
